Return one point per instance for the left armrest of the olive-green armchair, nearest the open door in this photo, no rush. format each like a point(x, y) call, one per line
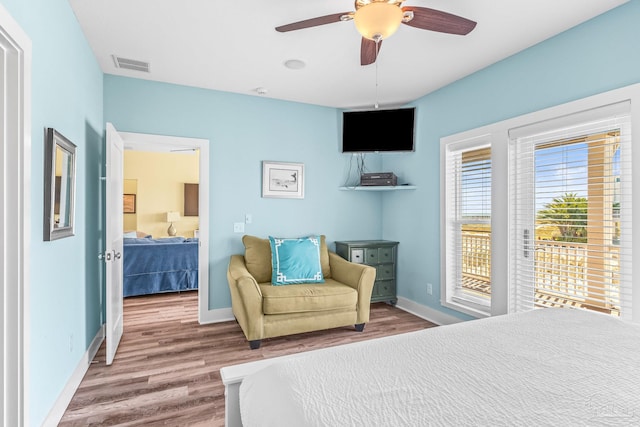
point(246, 298)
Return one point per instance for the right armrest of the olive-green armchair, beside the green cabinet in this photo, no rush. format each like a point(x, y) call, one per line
point(359, 276)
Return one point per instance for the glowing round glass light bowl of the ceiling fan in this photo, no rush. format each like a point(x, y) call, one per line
point(377, 21)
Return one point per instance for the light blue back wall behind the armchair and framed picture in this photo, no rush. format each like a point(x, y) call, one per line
point(244, 130)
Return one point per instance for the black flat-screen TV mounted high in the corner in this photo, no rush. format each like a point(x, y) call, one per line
point(378, 130)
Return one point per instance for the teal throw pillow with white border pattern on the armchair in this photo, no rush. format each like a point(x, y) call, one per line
point(295, 261)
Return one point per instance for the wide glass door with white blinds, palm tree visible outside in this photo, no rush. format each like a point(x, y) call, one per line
point(570, 192)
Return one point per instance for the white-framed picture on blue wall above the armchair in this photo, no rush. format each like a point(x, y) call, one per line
point(282, 180)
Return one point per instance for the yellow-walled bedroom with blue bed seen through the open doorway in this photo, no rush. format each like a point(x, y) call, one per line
point(159, 212)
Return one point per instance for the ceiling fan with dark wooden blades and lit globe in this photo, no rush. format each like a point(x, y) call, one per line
point(378, 19)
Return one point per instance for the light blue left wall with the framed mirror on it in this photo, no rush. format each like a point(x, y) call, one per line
point(64, 310)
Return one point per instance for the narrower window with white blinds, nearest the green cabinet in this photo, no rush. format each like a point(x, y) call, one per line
point(468, 226)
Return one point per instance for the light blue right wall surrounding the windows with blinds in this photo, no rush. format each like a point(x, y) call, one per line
point(597, 56)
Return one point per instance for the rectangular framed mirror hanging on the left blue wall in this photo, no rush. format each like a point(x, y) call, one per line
point(59, 185)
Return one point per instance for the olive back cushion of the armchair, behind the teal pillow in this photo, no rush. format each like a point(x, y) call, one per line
point(258, 257)
